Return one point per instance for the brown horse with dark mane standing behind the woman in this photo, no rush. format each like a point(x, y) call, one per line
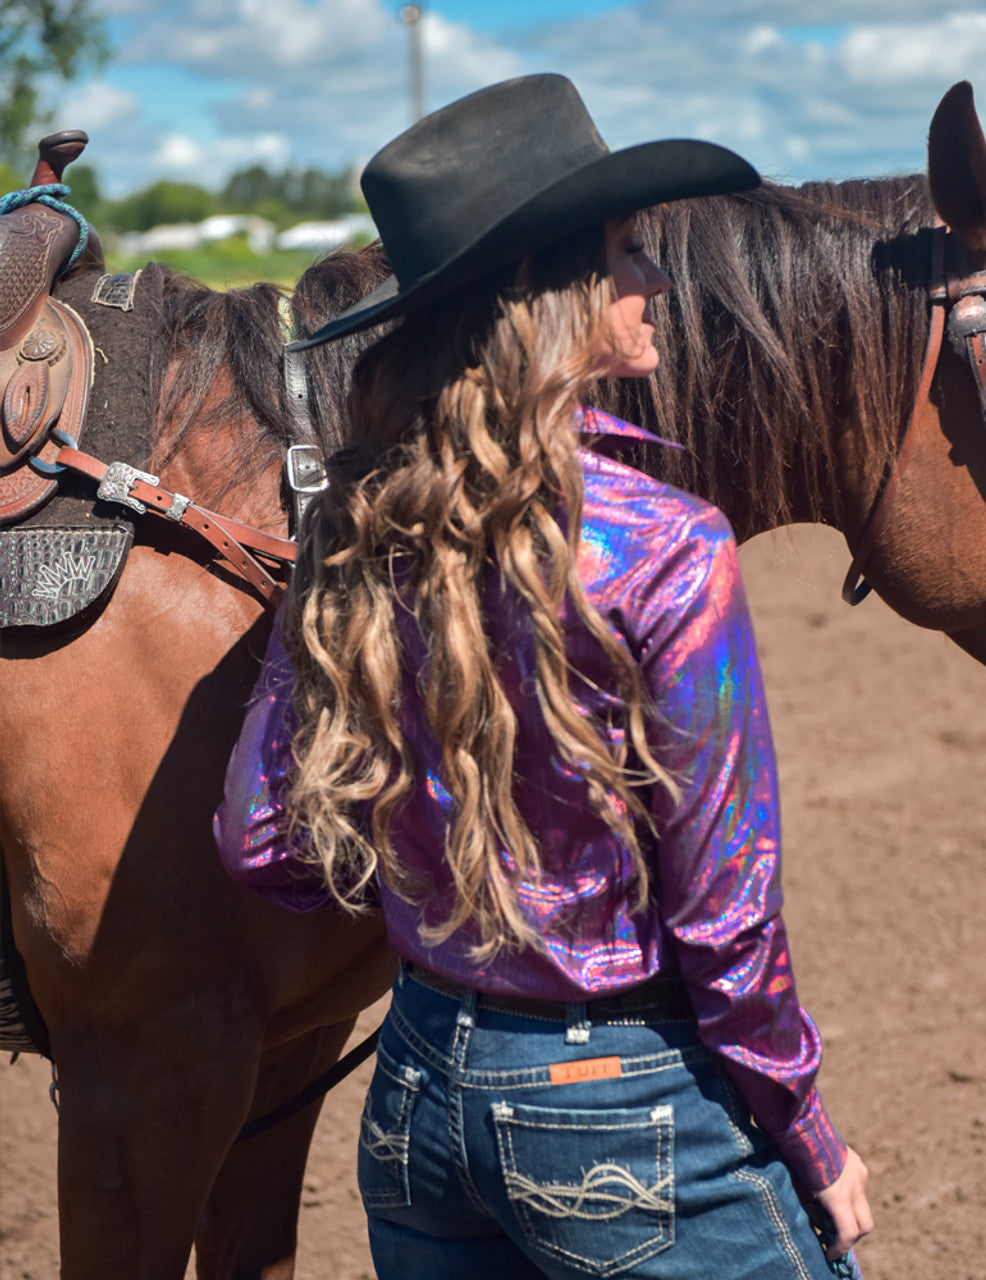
point(177, 1005)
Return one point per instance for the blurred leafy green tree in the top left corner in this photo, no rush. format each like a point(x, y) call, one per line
point(42, 39)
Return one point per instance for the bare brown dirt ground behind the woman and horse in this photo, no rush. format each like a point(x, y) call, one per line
point(882, 740)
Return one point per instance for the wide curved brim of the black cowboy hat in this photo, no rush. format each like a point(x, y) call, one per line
point(613, 186)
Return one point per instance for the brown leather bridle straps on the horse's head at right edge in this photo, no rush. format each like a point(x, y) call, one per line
point(958, 308)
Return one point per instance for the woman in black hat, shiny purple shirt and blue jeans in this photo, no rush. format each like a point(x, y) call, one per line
point(523, 714)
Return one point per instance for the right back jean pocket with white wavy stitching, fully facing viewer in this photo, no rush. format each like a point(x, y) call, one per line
point(595, 1190)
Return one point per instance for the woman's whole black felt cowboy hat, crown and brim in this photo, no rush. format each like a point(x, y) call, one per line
point(501, 173)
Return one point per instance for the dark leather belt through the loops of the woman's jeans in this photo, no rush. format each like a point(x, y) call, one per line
point(661, 999)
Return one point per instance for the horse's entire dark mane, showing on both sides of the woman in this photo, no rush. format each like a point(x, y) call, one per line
point(798, 316)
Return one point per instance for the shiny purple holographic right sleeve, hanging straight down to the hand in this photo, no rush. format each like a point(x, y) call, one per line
point(719, 856)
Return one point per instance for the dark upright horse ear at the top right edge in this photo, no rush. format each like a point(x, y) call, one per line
point(957, 166)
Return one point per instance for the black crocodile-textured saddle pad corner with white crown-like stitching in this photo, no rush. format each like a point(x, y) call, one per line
point(48, 577)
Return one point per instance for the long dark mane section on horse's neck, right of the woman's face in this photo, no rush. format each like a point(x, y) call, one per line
point(798, 314)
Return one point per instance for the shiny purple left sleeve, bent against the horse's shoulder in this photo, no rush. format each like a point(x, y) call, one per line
point(250, 825)
